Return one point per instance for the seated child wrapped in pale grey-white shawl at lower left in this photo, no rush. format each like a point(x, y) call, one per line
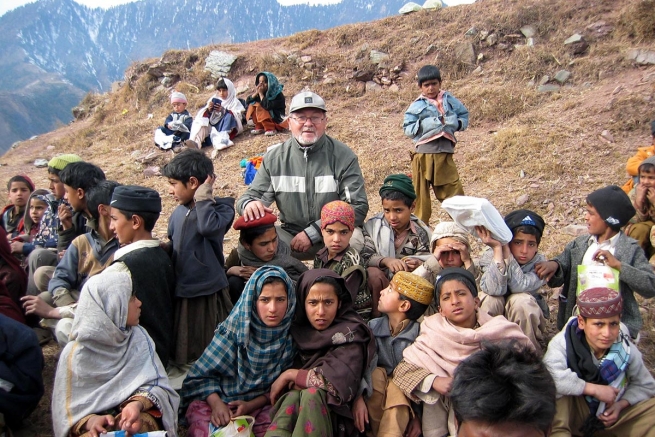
point(109, 376)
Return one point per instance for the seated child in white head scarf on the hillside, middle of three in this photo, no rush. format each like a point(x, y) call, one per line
point(220, 119)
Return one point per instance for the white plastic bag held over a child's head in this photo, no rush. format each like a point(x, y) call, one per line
point(470, 212)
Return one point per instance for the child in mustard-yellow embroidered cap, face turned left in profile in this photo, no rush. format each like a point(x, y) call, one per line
point(383, 405)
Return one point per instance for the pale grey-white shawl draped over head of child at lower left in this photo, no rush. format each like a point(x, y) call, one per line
point(107, 361)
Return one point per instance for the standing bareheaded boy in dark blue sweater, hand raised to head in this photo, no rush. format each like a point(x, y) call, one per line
point(196, 230)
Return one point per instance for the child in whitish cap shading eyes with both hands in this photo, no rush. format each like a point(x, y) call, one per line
point(450, 248)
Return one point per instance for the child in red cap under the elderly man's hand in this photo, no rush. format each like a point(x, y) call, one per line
point(259, 245)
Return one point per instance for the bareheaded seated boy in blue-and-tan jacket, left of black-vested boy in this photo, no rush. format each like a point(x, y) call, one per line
point(88, 255)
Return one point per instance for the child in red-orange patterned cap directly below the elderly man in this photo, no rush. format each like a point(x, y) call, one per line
point(337, 226)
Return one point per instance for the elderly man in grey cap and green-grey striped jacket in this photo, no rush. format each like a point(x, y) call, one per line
point(304, 173)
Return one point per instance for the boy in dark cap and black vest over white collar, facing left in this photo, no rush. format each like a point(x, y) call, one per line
point(134, 212)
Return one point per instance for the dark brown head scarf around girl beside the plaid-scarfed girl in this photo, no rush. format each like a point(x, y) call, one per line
point(340, 353)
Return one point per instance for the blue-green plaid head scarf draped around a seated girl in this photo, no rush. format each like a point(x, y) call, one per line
point(245, 356)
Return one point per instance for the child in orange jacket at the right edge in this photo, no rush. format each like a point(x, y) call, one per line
point(643, 200)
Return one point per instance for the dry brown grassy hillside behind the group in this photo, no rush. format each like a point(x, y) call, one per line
point(520, 141)
